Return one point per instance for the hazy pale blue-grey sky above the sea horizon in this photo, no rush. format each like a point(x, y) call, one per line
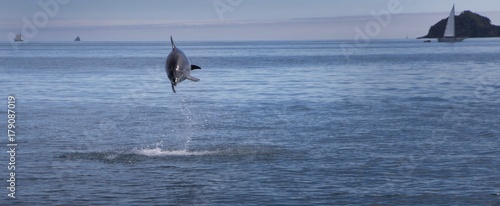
point(153, 20)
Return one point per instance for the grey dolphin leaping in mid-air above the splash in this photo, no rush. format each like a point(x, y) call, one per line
point(178, 67)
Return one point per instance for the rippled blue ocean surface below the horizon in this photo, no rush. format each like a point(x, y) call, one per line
point(385, 122)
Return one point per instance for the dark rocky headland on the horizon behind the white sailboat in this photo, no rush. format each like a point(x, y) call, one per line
point(467, 24)
